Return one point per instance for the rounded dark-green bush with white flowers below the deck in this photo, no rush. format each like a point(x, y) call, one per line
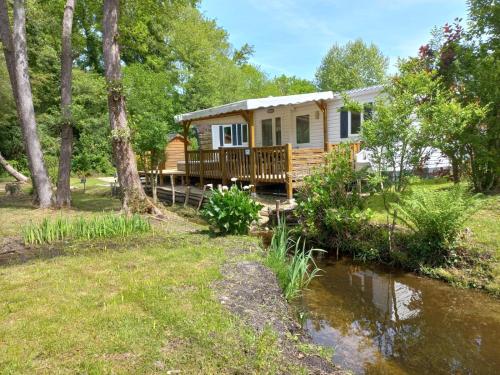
point(231, 211)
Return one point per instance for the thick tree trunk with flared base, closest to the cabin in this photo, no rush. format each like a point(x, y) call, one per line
point(134, 198)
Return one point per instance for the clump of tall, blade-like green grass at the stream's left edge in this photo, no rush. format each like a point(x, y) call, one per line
point(293, 264)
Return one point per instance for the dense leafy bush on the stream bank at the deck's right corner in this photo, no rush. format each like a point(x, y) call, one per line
point(330, 208)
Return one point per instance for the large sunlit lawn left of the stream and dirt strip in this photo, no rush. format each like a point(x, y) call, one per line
point(140, 304)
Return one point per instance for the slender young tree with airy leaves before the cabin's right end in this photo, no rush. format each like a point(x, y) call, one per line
point(394, 136)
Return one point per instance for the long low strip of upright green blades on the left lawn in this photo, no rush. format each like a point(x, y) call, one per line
point(50, 231)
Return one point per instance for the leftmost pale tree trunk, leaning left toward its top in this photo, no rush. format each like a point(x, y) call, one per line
point(16, 58)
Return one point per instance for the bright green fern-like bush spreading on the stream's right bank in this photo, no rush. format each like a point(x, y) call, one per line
point(436, 219)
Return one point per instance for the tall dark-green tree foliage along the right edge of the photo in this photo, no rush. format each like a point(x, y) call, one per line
point(467, 61)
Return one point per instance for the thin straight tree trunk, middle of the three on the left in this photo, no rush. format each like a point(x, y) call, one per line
point(63, 195)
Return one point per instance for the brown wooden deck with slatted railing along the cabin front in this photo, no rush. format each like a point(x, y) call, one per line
point(256, 165)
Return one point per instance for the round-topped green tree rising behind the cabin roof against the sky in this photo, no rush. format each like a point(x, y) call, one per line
point(351, 66)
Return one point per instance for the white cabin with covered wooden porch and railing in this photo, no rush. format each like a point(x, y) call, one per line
point(273, 140)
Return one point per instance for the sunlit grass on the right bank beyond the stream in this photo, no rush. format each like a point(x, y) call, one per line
point(482, 240)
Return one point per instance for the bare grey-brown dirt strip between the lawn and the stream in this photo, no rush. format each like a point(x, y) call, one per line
point(250, 290)
